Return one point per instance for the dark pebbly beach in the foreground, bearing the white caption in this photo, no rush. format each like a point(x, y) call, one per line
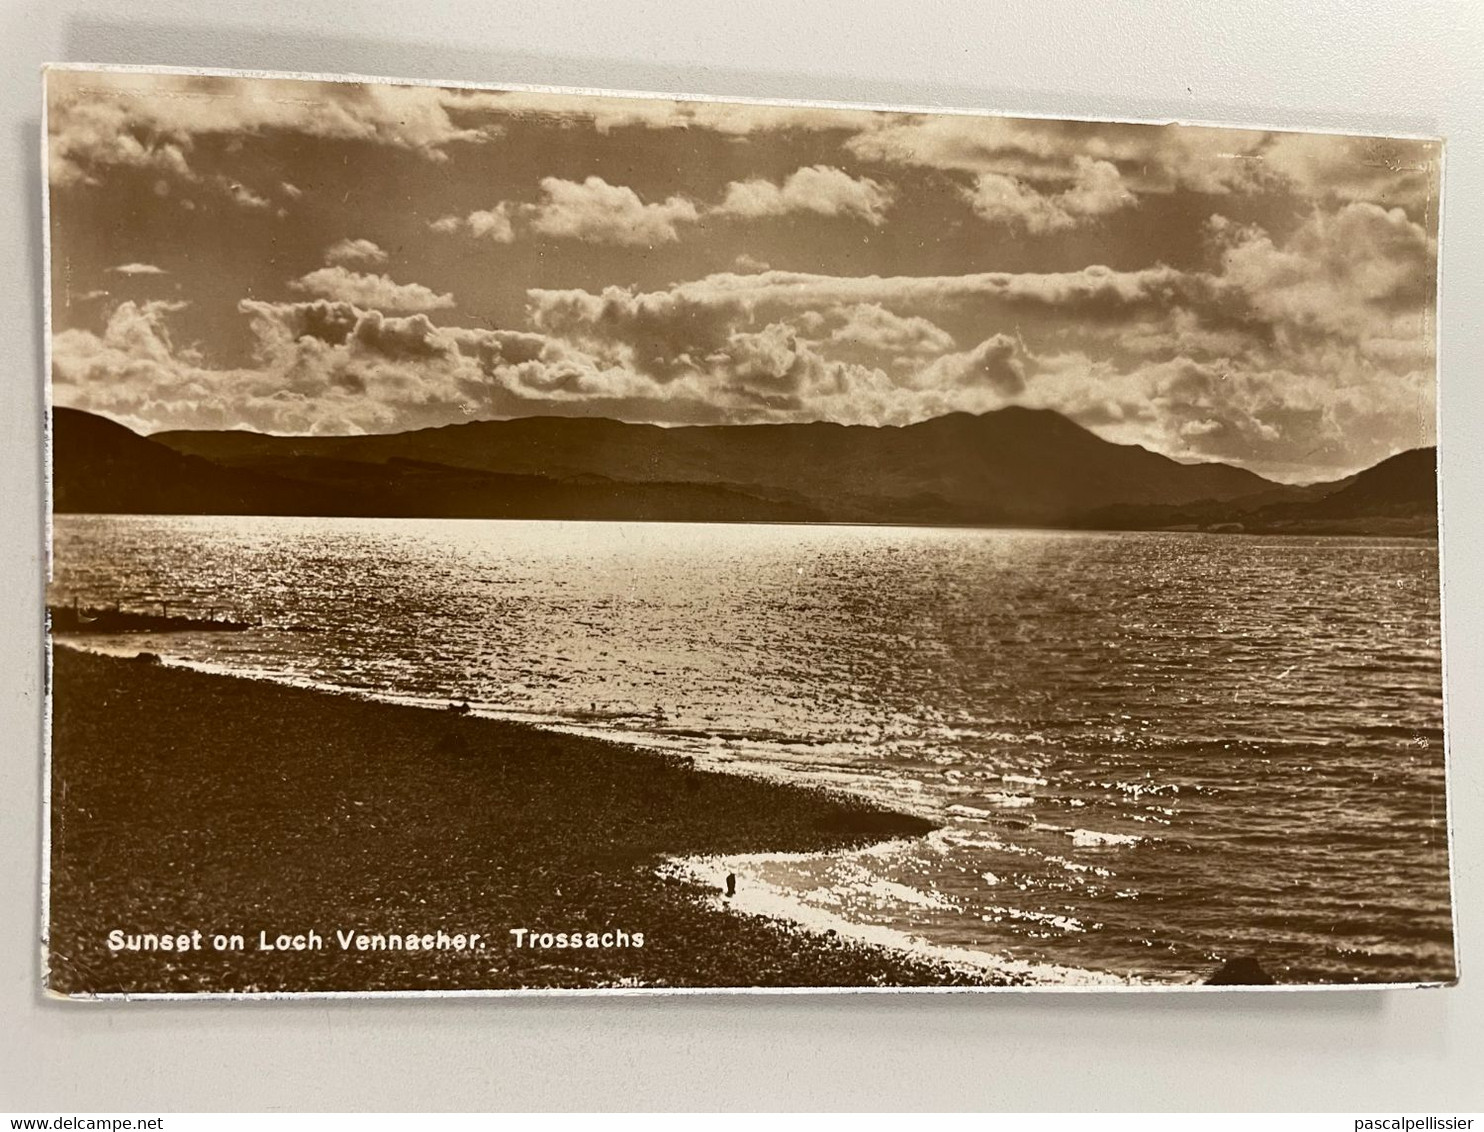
point(188, 802)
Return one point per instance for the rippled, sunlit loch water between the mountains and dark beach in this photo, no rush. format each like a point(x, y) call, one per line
point(1149, 751)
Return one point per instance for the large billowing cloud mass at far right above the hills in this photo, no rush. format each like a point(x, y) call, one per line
point(1305, 357)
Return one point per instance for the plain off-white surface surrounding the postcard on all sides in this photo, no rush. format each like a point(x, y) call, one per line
point(1365, 66)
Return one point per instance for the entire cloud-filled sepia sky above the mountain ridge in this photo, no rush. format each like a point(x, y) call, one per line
point(306, 257)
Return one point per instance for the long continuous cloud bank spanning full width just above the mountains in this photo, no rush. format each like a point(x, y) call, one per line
point(1299, 352)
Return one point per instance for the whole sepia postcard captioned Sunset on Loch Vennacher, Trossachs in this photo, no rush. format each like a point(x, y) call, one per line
point(525, 541)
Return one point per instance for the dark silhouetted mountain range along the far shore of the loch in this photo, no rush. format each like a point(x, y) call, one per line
point(1013, 467)
